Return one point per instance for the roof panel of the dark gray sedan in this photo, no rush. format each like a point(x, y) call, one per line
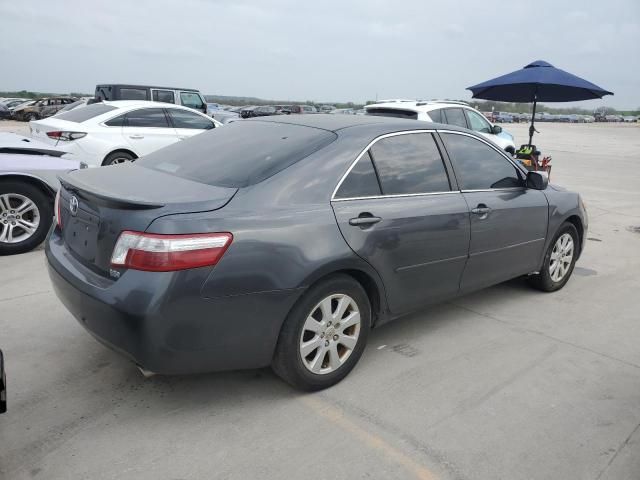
point(336, 123)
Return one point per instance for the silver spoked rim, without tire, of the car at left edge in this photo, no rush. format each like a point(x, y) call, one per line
point(19, 218)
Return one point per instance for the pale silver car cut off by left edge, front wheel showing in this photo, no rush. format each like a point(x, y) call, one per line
point(28, 184)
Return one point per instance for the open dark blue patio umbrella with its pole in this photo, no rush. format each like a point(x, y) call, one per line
point(538, 81)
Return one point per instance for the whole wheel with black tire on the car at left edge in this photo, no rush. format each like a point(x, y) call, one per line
point(26, 214)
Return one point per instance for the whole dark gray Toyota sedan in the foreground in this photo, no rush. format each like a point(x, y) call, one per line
point(283, 241)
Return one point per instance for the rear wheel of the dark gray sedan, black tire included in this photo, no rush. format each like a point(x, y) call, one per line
point(324, 335)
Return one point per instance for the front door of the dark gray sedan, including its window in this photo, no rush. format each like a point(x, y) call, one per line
point(508, 220)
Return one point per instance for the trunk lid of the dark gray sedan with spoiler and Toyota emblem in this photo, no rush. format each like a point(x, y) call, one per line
point(96, 205)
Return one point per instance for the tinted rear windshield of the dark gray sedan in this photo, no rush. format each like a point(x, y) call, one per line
point(239, 154)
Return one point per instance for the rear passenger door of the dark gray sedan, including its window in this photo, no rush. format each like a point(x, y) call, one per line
point(398, 209)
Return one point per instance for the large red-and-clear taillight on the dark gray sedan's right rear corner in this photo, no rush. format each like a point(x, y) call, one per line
point(165, 253)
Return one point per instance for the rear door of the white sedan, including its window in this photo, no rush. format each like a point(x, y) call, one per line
point(147, 130)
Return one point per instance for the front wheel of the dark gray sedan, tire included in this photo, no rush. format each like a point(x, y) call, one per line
point(559, 260)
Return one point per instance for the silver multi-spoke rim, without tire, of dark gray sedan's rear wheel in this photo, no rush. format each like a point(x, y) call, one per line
point(330, 334)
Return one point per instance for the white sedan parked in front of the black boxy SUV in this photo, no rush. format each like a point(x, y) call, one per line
point(108, 133)
